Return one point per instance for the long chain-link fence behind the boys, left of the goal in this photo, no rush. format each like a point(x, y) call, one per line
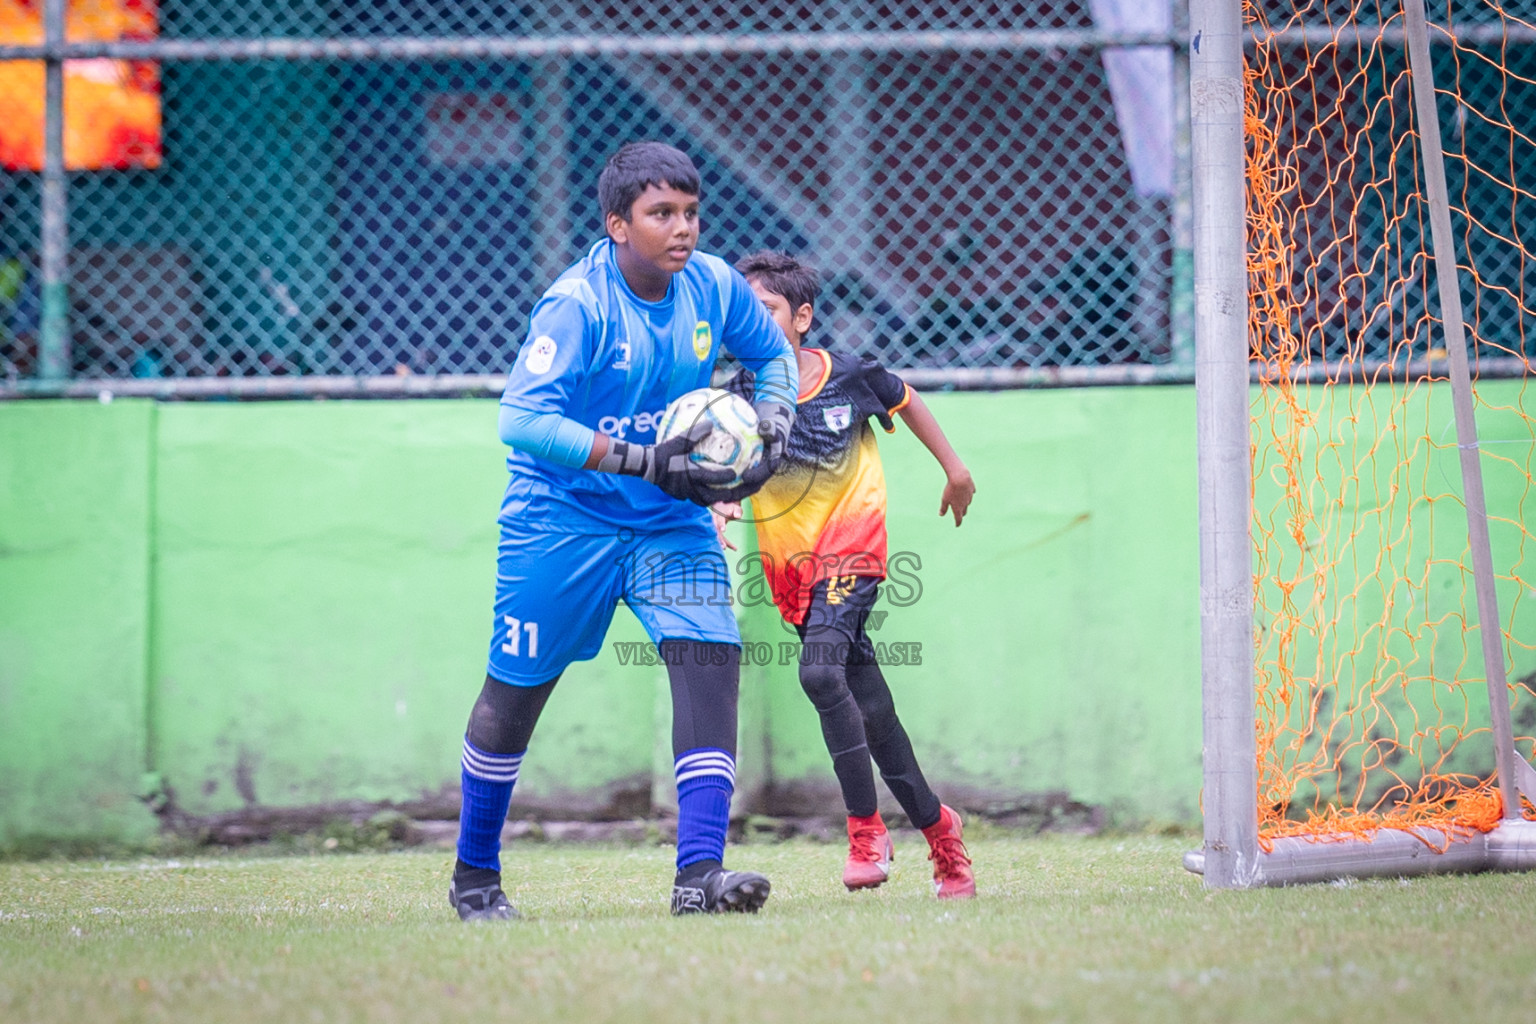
point(383, 190)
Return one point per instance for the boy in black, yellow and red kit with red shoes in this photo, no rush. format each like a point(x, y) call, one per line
point(821, 533)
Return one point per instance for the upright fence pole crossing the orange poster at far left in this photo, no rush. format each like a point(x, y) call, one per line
point(55, 331)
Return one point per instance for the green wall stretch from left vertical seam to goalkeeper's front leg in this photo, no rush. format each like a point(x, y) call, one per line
point(325, 576)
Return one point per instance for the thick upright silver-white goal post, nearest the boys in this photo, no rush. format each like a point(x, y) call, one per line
point(1222, 411)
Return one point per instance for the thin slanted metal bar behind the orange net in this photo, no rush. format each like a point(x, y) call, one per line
point(1455, 334)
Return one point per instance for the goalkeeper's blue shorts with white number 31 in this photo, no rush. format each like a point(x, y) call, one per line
point(557, 593)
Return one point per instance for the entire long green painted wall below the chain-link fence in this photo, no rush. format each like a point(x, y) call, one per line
point(286, 606)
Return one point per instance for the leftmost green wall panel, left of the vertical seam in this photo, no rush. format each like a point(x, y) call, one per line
point(74, 604)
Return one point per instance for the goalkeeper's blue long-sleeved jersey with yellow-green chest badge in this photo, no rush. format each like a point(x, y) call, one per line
point(607, 362)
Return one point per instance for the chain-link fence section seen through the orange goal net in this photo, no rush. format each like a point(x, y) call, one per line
point(1332, 87)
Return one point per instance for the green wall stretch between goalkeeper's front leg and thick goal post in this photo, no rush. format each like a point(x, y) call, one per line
point(1059, 624)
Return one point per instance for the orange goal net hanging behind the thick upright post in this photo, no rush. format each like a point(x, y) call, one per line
point(1372, 692)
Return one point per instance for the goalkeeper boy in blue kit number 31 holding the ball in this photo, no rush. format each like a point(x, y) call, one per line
point(600, 512)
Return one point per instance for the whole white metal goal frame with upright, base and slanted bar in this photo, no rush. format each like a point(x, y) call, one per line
point(1231, 856)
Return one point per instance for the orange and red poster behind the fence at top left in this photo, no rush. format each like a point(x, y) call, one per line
point(111, 107)
